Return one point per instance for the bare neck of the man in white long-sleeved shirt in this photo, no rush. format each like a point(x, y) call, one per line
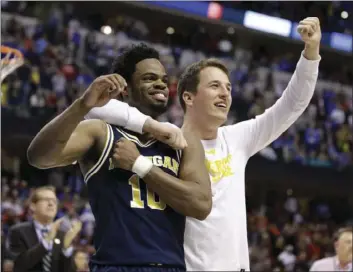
point(204, 130)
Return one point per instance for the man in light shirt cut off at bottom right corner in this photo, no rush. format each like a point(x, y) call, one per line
point(342, 261)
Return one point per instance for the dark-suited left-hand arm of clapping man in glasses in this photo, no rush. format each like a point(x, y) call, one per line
point(24, 258)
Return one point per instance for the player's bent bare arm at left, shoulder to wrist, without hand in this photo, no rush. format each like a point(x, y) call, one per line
point(65, 139)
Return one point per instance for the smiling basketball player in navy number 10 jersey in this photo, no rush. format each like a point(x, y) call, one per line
point(138, 202)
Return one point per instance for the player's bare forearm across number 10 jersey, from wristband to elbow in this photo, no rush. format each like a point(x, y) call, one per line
point(185, 197)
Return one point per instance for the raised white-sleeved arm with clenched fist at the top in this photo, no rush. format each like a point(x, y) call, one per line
point(268, 126)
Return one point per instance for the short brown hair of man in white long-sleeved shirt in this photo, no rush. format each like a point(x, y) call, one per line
point(190, 78)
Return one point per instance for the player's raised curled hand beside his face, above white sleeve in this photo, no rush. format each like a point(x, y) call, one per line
point(102, 90)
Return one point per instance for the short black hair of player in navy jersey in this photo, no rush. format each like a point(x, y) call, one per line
point(125, 63)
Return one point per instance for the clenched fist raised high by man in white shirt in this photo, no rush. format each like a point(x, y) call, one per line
point(310, 33)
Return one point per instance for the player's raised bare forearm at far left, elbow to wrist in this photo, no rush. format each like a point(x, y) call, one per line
point(52, 139)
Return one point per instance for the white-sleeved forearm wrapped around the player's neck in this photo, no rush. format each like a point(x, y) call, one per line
point(120, 114)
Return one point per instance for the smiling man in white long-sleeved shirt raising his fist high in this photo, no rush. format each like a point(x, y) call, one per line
point(220, 242)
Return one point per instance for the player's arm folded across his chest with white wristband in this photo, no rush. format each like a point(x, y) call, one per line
point(189, 194)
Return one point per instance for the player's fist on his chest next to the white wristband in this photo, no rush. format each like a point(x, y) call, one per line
point(125, 154)
